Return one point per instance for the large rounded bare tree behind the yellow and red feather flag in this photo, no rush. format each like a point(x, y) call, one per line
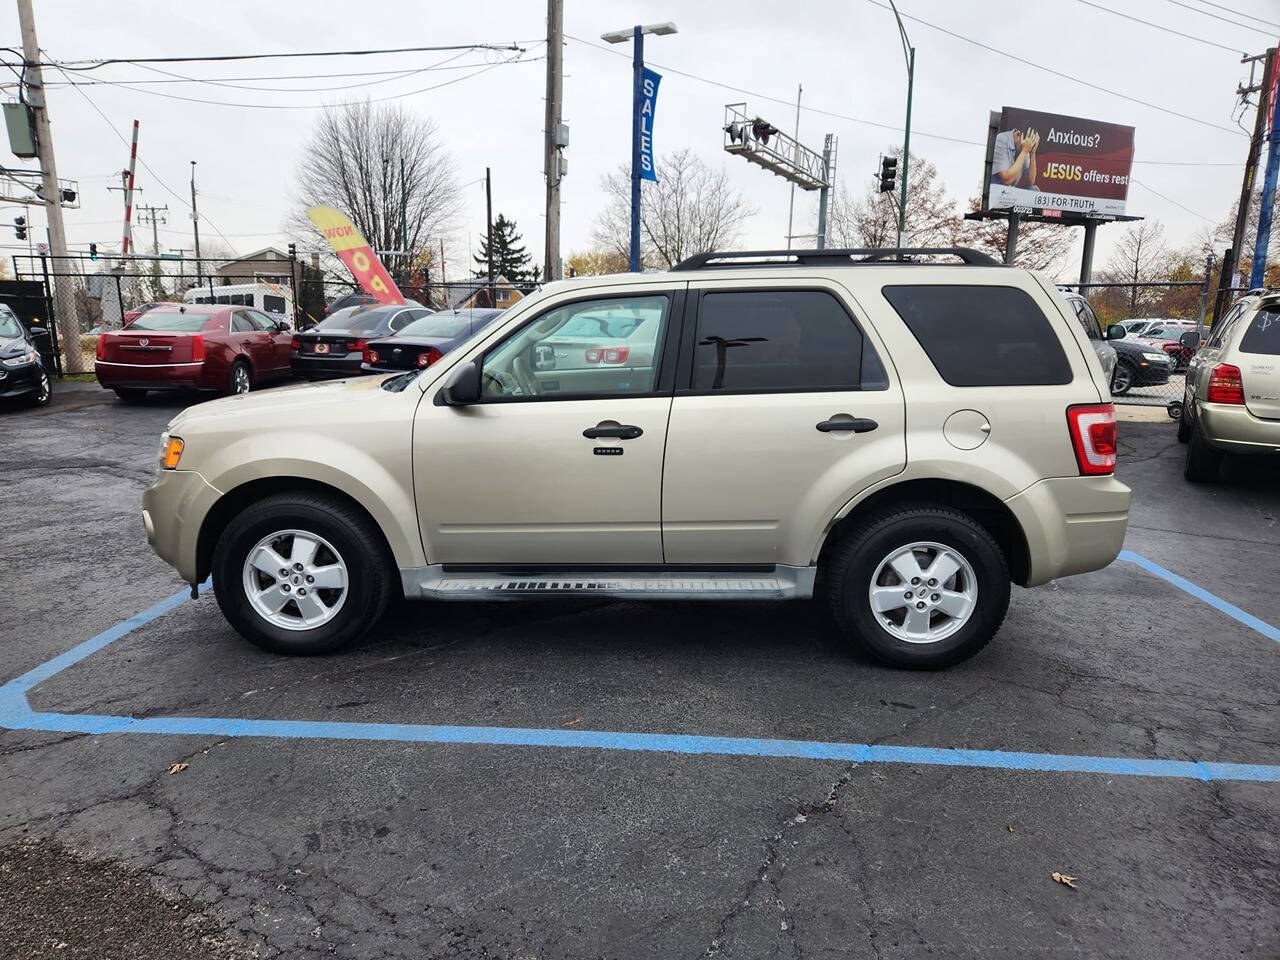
point(354, 163)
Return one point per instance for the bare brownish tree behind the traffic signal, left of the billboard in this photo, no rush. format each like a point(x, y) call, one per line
point(871, 221)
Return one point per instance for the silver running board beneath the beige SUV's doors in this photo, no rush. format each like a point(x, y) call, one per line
point(781, 583)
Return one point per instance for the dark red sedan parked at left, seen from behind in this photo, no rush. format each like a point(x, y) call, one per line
point(193, 346)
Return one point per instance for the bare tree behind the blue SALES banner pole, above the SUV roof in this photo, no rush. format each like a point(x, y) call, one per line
point(691, 211)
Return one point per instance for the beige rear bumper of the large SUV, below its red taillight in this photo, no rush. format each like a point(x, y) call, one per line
point(1072, 525)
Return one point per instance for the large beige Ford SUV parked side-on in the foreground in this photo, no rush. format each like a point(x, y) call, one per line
point(762, 452)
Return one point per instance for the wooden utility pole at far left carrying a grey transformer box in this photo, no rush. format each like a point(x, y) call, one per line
point(68, 318)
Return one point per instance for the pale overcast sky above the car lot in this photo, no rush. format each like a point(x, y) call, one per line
point(847, 56)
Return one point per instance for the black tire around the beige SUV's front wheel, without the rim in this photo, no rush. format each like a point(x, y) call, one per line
point(358, 543)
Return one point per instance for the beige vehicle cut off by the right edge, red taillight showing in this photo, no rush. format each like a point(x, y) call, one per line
point(1232, 400)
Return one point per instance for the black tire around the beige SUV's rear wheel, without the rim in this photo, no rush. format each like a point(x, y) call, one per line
point(857, 557)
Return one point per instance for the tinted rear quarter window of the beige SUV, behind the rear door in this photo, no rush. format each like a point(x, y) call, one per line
point(982, 336)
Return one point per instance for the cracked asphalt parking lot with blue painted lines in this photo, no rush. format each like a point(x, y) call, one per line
point(605, 780)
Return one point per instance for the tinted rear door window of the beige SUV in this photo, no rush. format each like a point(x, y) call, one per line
point(781, 341)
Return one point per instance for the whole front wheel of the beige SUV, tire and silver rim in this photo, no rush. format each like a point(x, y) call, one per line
point(301, 574)
